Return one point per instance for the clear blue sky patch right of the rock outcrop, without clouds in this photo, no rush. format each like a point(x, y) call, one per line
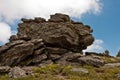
point(106, 25)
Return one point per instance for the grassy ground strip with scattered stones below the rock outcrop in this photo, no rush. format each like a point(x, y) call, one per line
point(109, 71)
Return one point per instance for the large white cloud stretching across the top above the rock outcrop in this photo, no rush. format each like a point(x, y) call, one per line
point(15, 9)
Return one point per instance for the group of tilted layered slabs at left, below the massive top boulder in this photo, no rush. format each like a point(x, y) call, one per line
point(17, 52)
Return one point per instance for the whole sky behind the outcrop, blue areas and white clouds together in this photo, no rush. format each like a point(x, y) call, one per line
point(101, 15)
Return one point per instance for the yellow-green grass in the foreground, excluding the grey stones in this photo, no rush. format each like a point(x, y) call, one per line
point(58, 72)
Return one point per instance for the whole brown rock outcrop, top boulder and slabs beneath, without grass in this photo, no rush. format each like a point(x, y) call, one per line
point(44, 42)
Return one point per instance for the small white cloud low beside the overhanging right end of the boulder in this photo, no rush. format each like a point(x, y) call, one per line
point(96, 46)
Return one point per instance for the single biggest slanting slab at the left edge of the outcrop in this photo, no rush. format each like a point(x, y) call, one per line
point(16, 54)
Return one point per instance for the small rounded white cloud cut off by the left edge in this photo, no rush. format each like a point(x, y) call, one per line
point(5, 32)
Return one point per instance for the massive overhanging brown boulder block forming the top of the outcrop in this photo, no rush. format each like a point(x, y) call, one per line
point(59, 31)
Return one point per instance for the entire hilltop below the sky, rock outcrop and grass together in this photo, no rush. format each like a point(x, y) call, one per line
point(52, 50)
